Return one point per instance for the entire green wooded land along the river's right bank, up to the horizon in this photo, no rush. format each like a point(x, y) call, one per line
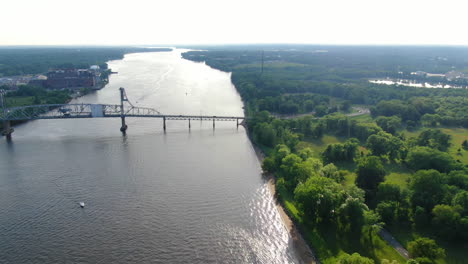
point(344, 178)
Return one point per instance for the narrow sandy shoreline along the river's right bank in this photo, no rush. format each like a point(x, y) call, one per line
point(302, 249)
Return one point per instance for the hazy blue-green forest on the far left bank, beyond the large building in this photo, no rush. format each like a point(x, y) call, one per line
point(33, 60)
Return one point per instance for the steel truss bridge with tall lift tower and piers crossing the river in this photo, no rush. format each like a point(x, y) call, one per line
point(122, 111)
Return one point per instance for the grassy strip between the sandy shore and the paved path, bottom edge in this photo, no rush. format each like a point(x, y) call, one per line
point(329, 244)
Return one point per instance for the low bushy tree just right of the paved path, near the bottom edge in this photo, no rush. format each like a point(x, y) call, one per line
point(425, 248)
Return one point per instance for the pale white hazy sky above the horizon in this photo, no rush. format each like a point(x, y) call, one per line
point(116, 22)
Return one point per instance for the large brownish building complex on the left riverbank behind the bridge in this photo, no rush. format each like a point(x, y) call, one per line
point(72, 78)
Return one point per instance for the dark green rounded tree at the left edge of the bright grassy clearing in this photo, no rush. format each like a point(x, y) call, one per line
point(370, 172)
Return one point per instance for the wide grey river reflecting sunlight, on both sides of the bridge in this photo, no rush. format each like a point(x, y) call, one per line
point(184, 196)
